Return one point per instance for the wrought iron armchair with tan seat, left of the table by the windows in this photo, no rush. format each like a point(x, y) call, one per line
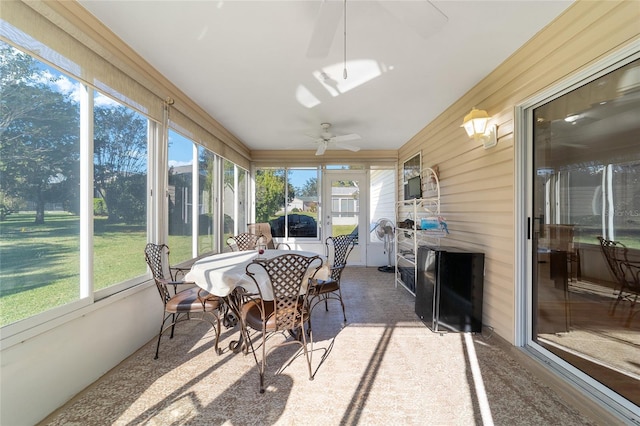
point(180, 304)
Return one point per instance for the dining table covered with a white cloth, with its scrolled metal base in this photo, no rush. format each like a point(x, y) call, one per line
point(222, 274)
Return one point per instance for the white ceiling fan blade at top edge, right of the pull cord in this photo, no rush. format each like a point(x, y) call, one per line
point(421, 16)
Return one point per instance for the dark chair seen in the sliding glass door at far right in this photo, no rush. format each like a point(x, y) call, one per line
point(625, 272)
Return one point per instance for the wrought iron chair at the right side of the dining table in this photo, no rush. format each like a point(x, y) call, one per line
point(338, 249)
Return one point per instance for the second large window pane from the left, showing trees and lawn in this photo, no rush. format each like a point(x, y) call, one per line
point(120, 203)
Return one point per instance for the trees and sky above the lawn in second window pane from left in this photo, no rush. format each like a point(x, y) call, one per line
point(120, 159)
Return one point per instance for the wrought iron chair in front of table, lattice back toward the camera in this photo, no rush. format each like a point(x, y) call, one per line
point(287, 312)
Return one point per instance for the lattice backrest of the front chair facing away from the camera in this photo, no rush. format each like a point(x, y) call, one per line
point(286, 274)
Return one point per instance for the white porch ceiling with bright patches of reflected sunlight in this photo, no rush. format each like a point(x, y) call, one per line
point(246, 62)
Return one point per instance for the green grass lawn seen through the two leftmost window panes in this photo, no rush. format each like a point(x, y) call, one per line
point(40, 264)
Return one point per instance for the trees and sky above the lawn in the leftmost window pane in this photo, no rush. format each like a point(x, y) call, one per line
point(39, 134)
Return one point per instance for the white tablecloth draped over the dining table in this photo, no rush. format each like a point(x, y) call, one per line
point(220, 273)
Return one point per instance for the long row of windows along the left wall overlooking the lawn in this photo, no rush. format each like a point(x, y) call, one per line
point(76, 178)
